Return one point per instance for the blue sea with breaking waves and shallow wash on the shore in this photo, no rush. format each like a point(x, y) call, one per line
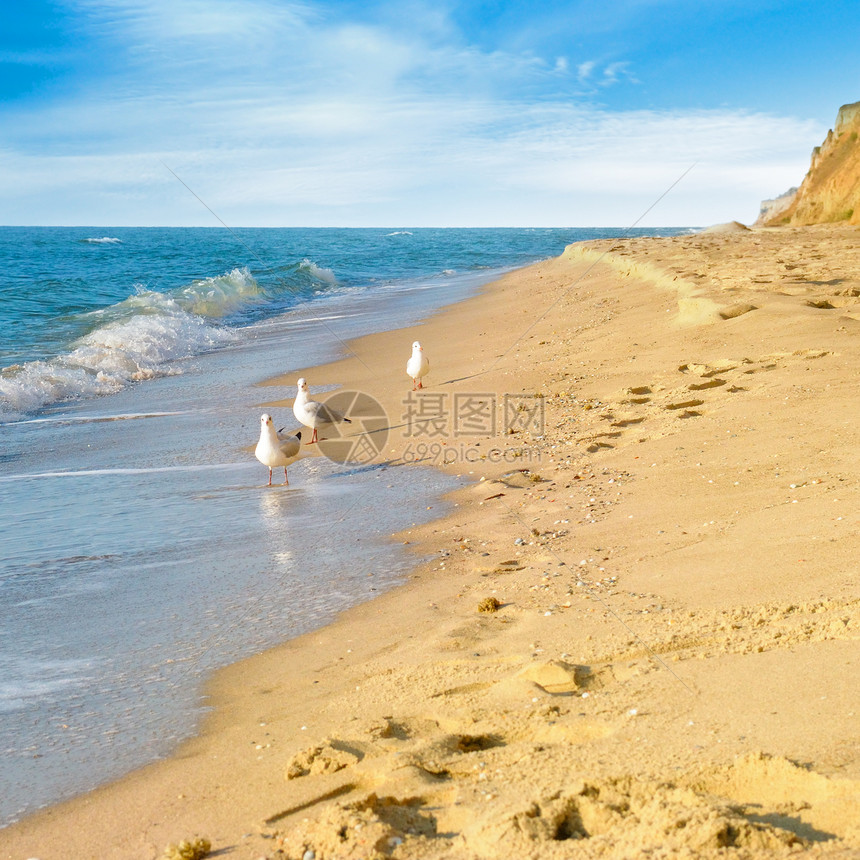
point(140, 548)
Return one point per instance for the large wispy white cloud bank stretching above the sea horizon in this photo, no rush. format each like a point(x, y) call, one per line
point(275, 115)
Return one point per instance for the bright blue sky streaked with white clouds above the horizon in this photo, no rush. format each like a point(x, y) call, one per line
point(414, 113)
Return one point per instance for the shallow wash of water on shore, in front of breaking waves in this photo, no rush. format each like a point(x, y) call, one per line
point(141, 550)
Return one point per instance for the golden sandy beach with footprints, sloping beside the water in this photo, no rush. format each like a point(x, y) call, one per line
point(641, 642)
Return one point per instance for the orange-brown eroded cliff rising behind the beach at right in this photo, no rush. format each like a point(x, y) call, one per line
point(830, 192)
